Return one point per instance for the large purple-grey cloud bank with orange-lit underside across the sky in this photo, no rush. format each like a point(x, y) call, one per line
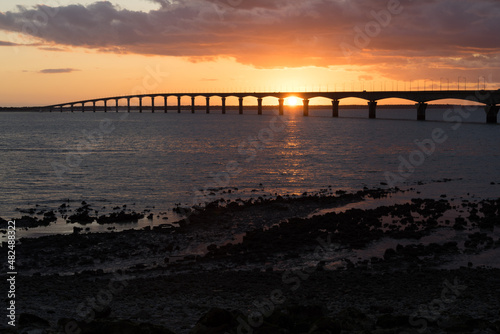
point(452, 33)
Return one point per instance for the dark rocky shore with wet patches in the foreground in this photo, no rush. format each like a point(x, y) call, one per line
point(272, 266)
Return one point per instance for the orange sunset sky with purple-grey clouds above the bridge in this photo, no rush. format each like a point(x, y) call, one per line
point(80, 49)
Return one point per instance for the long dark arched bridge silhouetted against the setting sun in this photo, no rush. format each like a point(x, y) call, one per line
point(490, 98)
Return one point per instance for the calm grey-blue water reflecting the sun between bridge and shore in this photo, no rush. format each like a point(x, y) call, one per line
point(146, 160)
